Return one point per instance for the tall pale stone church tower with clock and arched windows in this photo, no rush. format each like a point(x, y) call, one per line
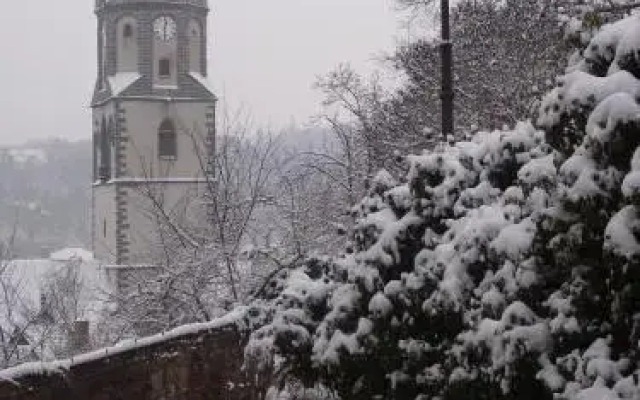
point(153, 126)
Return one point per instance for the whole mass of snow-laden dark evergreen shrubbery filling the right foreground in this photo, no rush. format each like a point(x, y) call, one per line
point(503, 267)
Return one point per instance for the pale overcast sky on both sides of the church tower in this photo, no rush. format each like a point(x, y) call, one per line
point(264, 54)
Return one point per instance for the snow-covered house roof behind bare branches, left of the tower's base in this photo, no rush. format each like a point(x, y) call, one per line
point(49, 306)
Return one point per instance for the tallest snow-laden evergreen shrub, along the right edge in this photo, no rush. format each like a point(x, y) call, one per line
point(590, 234)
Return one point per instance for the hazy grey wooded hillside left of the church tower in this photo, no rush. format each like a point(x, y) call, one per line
point(45, 196)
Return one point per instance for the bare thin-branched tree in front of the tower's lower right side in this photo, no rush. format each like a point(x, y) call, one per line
point(201, 271)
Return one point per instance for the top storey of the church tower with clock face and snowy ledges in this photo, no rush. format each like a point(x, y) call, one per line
point(132, 34)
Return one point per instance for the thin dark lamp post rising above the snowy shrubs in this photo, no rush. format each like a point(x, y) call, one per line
point(446, 50)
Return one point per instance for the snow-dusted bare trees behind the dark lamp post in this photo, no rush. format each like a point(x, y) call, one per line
point(506, 53)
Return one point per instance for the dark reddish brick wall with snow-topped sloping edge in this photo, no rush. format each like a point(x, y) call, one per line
point(206, 365)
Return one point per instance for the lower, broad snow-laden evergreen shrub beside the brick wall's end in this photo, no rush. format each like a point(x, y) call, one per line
point(389, 318)
